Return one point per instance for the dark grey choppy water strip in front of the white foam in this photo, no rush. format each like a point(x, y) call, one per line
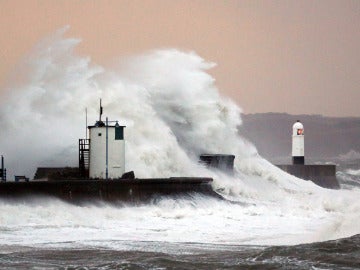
point(336, 254)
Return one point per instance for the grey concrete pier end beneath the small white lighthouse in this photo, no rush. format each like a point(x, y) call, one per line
point(322, 175)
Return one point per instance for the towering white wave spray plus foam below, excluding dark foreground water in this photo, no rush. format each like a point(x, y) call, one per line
point(173, 112)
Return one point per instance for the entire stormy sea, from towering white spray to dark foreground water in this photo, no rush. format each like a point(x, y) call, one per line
point(173, 112)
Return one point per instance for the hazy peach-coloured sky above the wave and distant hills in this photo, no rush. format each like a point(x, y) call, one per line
point(299, 57)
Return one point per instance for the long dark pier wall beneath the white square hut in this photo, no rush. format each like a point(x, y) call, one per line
point(123, 190)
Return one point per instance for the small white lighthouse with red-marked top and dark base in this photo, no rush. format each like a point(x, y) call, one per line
point(298, 156)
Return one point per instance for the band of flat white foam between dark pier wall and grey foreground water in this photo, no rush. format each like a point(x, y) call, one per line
point(279, 218)
